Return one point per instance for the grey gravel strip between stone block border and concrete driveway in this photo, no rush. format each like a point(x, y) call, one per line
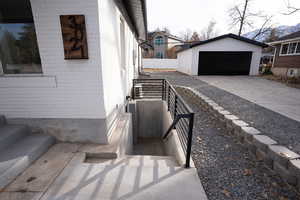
point(282, 129)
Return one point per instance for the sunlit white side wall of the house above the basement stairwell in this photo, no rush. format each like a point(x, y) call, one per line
point(117, 81)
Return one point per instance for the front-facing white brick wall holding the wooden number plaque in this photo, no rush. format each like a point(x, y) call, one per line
point(77, 91)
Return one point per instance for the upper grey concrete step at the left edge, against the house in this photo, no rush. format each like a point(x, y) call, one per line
point(10, 134)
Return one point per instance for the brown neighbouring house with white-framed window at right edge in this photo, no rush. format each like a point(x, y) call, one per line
point(287, 55)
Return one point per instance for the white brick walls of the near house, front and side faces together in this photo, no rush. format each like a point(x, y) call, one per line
point(87, 89)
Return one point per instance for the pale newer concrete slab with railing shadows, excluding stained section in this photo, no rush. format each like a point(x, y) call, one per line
point(128, 177)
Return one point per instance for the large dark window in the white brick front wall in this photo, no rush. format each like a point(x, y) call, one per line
point(19, 53)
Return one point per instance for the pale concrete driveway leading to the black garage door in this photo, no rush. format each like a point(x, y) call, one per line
point(269, 94)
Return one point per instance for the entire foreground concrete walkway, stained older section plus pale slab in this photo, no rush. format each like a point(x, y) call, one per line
point(63, 173)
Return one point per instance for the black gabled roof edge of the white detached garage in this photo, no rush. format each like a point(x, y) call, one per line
point(230, 35)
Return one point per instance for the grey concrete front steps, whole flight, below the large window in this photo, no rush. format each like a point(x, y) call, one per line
point(18, 149)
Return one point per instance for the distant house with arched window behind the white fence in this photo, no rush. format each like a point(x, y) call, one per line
point(163, 45)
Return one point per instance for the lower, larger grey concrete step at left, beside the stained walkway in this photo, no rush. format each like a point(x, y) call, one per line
point(15, 159)
